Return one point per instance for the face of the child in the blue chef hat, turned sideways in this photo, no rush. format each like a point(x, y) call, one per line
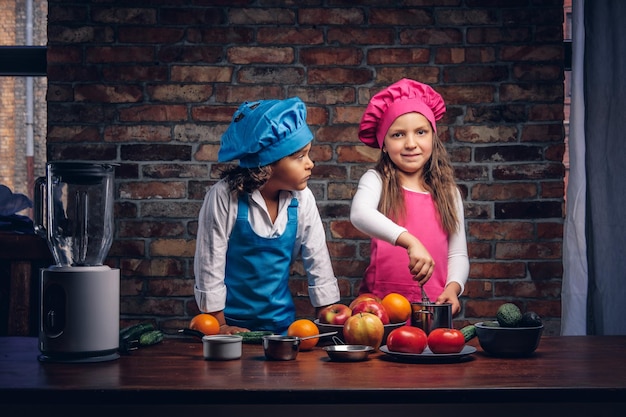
point(293, 171)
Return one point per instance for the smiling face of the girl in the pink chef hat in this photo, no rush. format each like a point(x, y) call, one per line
point(409, 143)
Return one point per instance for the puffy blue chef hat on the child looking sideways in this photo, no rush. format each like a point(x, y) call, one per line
point(262, 132)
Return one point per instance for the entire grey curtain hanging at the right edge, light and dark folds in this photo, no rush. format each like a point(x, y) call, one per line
point(594, 281)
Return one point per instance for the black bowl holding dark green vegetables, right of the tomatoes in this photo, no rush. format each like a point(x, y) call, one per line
point(508, 341)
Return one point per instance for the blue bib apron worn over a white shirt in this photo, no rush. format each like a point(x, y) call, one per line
point(257, 274)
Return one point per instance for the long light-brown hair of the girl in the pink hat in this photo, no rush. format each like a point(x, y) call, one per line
point(438, 178)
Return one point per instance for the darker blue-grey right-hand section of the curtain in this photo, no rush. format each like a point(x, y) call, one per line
point(605, 164)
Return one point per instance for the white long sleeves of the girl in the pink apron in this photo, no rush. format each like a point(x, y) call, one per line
point(366, 217)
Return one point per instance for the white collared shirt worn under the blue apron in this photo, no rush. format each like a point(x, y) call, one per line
point(217, 218)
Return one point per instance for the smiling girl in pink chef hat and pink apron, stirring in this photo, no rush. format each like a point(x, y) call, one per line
point(409, 203)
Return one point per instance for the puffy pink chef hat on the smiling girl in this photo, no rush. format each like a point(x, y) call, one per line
point(405, 96)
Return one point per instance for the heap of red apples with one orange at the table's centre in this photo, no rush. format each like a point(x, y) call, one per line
point(364, 319)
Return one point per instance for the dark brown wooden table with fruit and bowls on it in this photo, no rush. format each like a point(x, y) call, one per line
point(567, 376)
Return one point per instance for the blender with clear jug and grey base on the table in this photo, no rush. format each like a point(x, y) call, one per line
point(79, 295)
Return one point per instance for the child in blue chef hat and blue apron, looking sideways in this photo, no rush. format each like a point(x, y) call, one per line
point(258, 219)
